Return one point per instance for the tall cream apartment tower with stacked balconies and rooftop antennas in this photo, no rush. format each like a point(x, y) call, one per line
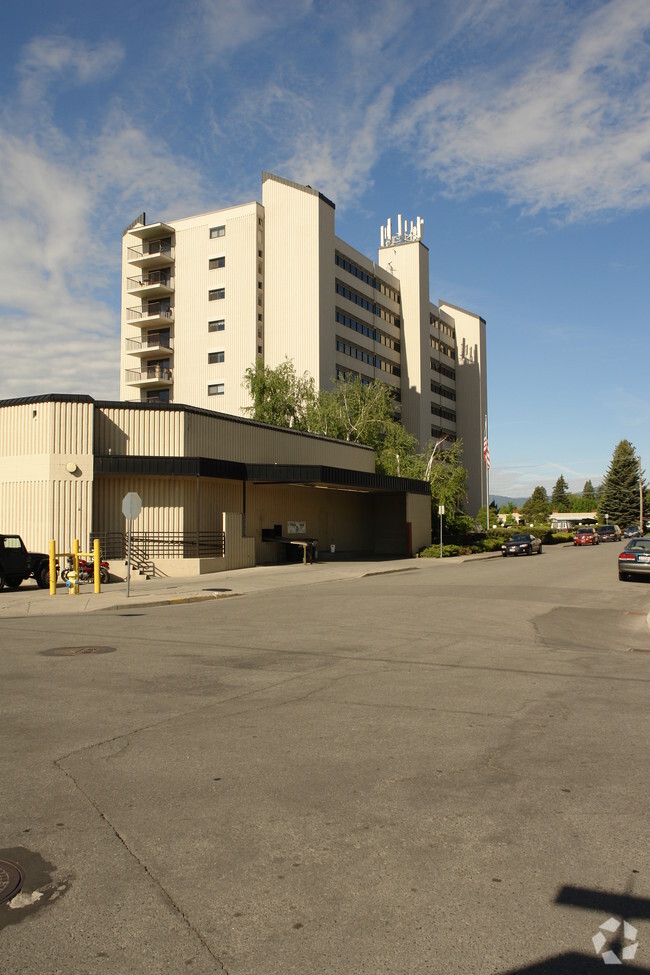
point(203, 297)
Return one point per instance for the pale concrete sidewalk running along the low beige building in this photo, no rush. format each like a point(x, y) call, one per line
point(29, 600)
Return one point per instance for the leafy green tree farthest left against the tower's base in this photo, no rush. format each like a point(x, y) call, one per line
point(279, 395)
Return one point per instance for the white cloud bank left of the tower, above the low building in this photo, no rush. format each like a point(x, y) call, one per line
point(64, 200)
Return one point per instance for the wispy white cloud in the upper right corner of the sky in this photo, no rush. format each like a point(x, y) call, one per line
point(571, 131)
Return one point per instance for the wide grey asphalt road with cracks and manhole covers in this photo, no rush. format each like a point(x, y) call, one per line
point(442, 770)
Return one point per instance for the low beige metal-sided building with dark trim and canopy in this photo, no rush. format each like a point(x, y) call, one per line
point(218, 491)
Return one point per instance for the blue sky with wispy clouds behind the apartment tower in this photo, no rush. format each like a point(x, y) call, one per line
point(519, 131)
